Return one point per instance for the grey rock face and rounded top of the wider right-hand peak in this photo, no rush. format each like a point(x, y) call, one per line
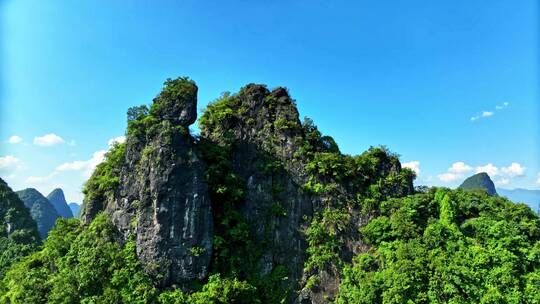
point(274, 205)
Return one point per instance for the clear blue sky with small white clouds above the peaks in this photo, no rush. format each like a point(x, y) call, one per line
point(411, 75)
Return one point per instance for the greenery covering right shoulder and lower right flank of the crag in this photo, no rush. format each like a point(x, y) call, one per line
point(375, 175)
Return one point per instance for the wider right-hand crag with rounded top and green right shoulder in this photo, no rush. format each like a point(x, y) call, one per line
point(292, 187)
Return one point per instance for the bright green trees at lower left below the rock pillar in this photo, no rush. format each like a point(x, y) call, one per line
point(86, 265)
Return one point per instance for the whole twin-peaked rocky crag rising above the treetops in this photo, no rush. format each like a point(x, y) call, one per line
point(259, 195)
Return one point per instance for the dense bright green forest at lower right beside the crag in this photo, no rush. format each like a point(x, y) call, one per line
point(447, 246)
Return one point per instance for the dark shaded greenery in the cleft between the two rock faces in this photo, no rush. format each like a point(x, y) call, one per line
point(235, 253)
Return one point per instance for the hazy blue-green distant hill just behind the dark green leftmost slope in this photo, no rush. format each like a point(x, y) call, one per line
point(41, 209)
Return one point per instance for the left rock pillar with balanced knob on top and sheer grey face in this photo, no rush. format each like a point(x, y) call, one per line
point(161, 198)
